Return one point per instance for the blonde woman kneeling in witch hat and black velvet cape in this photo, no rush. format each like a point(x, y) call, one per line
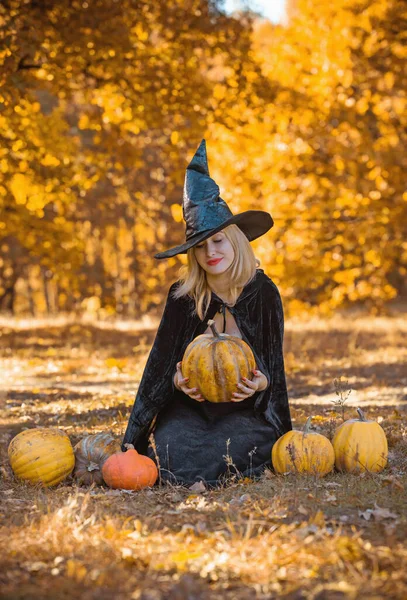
point(195, 440)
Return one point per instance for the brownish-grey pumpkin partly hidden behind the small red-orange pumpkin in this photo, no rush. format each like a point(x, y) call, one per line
point(90, 455)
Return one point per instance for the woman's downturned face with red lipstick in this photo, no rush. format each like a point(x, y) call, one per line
point(215, 255)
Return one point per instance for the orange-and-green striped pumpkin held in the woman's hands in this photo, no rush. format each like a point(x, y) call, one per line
point(216, 363)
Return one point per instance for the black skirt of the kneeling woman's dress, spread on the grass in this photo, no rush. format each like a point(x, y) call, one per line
point(211, 442)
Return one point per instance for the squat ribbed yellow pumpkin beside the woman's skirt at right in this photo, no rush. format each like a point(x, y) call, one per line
point(303, 452)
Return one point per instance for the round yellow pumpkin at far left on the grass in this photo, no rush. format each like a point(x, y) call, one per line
point(41, 456)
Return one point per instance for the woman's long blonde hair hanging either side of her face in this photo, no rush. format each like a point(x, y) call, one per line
point(192, 277)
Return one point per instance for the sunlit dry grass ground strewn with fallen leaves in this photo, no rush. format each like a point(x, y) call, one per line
point(281, 537)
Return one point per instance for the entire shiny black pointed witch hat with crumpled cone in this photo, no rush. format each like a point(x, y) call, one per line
point(205, 213)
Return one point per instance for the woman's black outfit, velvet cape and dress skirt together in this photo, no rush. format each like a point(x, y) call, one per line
point(202, 440)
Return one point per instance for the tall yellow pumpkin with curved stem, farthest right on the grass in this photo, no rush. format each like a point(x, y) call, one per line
point(360, 445)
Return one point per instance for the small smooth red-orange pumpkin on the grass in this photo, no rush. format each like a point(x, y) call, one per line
point(129, 470)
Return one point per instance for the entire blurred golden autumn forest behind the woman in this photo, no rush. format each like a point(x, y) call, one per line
point(102, 104)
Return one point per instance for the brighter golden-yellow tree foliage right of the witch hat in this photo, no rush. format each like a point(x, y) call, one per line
point(325, 155)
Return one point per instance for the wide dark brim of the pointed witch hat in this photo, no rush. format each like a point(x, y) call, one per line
point(253, 223)
